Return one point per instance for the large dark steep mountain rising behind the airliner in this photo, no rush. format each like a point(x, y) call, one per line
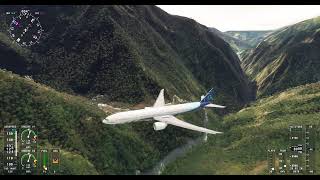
point(126, 53)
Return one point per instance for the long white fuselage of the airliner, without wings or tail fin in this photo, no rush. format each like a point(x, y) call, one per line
point(150, 112)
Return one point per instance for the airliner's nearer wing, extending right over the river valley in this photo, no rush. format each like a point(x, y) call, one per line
point(169, 119)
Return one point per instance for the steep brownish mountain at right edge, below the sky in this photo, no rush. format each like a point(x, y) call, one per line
point(286, 58)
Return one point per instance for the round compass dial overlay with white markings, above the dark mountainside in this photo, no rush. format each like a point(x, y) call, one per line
point(25, 29)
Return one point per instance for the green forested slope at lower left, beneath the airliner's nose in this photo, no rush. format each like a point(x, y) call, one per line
point(73, 124)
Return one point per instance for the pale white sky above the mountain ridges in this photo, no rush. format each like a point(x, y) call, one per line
point(245, 17)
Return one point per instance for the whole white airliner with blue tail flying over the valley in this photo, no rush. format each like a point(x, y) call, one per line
point(163, 113)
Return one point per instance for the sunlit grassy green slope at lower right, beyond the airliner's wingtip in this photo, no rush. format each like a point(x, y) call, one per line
point(242, 149)
